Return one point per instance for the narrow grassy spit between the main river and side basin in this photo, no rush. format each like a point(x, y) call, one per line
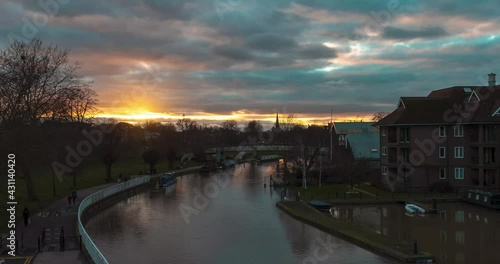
point(353, 233)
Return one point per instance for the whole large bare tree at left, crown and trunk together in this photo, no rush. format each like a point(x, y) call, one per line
point(34, 80)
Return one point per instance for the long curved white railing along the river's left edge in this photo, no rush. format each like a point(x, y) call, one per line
point(89, 245)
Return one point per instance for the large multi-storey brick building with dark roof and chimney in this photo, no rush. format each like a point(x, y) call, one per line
point(449, 136)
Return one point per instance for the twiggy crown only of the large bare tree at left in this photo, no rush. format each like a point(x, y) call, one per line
point(35, 80)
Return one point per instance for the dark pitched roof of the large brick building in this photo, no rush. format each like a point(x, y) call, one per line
point(458, 104)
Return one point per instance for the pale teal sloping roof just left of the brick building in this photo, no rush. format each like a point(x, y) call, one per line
point(365, 145)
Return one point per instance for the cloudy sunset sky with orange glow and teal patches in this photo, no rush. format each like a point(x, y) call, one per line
point(214, 60)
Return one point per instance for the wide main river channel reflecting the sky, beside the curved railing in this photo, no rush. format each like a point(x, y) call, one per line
point(225, 217)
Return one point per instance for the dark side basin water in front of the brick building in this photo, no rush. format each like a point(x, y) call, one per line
point(458, 233)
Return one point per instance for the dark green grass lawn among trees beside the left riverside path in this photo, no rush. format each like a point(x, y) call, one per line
point(43, 181)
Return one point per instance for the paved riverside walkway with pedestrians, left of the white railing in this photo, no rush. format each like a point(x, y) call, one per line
point(52, 218)
